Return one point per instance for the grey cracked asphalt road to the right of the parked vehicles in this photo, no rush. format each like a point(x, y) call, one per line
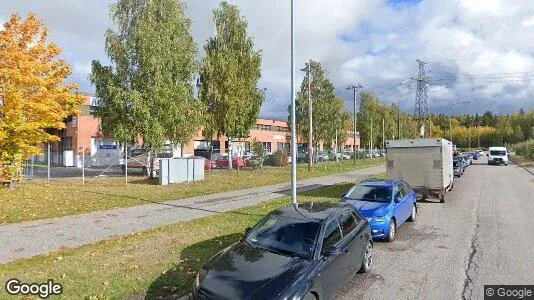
point(482, 234)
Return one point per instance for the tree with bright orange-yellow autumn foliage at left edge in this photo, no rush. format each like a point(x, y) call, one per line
point(33, 96)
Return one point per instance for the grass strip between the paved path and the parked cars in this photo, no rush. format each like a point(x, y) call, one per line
point(161, 262)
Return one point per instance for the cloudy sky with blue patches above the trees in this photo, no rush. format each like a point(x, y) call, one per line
point(475, 50)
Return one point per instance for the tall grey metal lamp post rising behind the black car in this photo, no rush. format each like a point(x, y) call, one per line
point(293, 119)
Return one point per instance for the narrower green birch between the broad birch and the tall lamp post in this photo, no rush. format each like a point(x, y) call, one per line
point(230, 73)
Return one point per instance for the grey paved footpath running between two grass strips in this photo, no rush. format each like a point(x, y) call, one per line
point(27, 239)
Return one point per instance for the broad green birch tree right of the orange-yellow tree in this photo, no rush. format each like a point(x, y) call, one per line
point(148, 92)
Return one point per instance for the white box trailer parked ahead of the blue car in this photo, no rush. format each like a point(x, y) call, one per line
point(425, 164)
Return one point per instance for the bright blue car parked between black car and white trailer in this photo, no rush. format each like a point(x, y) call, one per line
point(386, 204)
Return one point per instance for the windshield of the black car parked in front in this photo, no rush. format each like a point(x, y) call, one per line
point(285, 236)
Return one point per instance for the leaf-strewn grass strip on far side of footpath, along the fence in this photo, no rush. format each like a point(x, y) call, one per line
point(38, 199)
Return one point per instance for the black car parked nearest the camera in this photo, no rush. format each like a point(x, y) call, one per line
point(307, 253)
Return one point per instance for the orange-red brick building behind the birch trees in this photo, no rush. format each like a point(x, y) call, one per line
point(84, 132)
